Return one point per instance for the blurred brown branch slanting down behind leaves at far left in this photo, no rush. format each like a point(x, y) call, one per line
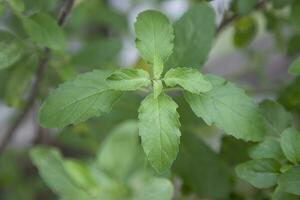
point(39, 75)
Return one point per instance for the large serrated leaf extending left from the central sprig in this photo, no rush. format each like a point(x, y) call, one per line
point(75, 101)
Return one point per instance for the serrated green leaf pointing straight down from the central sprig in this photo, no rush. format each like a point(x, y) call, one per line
point(159, 129)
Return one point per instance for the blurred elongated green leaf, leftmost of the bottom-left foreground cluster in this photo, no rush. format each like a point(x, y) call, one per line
point(51, 167)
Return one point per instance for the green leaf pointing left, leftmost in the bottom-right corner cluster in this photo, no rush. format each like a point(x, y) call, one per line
point(262, 173)
